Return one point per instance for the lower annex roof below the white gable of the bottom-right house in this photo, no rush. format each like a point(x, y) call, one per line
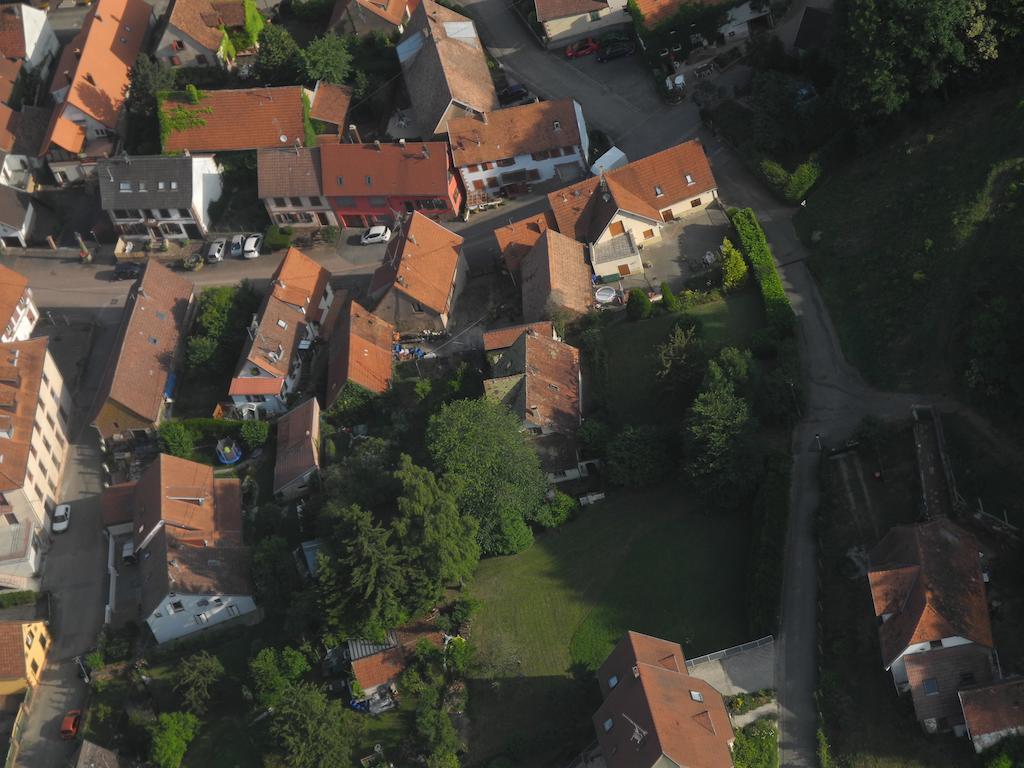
point(947, 670)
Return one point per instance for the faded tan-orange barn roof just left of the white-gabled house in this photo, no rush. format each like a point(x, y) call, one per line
point(556, 274)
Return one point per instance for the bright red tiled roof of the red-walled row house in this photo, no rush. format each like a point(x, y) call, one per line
point(414, 170)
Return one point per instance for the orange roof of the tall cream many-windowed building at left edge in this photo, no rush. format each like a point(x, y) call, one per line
point(21, 377)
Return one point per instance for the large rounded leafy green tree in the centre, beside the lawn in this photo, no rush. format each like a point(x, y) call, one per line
point(498, 476)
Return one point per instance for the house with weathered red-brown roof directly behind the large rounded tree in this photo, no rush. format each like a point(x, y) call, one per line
point(537, 377)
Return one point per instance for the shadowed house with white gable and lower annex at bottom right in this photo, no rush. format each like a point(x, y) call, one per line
point(935, 633)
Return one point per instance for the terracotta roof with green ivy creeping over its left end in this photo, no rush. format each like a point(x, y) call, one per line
point(235, 120)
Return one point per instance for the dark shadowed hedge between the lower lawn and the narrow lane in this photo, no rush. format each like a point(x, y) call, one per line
point(771, 516)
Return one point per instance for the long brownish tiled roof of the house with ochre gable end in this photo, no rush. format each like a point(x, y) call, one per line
point(153, 325)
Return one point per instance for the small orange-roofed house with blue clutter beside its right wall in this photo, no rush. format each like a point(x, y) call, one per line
point(360, 353)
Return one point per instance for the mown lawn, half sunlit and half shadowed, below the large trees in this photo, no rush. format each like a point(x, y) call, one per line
point(644, 562)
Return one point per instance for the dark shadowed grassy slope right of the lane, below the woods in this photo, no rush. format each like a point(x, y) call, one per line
point(911, 240)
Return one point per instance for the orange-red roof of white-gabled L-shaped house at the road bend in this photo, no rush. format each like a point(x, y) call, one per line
point(582, 211)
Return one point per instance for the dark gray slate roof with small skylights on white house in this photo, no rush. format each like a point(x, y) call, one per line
point(146, 175)
